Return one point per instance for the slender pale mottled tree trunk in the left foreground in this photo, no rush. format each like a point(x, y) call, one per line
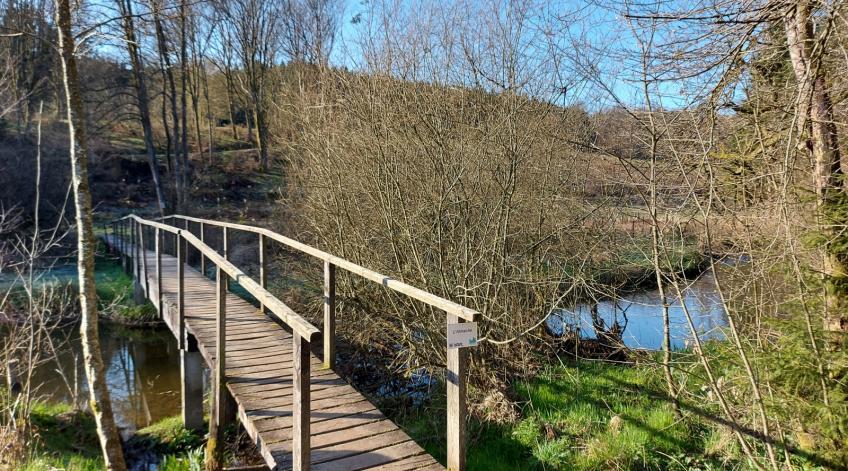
point(99, 401)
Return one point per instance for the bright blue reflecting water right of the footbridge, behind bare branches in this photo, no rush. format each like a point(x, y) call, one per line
point(640, 316)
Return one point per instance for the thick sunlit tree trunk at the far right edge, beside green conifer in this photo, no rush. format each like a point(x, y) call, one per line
point(819, 138)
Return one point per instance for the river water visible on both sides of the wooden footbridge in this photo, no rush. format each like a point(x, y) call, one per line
point(143, 363)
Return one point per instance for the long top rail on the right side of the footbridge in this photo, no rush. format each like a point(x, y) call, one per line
point(446, 305)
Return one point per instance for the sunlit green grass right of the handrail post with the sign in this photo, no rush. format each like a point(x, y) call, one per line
point(588, 415)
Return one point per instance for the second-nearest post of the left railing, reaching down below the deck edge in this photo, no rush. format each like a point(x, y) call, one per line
point(215, 444)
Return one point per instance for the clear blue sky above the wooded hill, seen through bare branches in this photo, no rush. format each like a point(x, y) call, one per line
point(593, 38)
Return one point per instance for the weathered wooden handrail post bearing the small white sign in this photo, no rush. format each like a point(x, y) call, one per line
point(455, 379)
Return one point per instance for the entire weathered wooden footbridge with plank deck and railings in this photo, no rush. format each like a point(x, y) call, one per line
point(299, 413)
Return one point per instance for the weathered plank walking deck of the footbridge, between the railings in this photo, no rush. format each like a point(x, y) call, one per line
point(347, 431)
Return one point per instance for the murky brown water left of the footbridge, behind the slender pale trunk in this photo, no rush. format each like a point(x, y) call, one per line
point(142, 371)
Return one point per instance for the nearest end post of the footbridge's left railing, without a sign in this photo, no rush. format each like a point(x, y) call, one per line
point(301, 404)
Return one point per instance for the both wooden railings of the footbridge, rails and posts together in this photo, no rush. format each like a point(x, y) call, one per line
point(455, 313)
